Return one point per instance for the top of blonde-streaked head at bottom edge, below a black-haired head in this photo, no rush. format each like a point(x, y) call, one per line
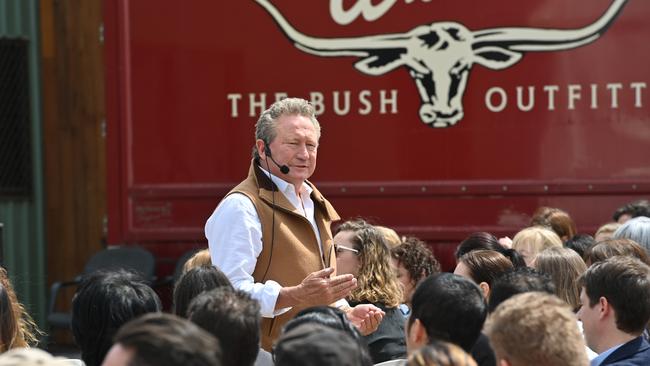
point(438, 353)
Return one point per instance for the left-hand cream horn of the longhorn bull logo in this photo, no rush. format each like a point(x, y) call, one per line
point(357, 46)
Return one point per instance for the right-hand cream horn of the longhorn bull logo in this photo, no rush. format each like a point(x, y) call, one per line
point(537, 39)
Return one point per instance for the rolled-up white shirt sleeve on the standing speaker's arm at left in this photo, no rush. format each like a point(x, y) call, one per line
point(234, 234)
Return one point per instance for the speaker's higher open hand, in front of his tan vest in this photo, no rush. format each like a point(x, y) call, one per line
point(317, 289)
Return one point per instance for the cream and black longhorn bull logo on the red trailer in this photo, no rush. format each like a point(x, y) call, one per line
point(440, 55)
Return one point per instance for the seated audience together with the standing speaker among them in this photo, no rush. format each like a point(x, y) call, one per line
point(282, 284)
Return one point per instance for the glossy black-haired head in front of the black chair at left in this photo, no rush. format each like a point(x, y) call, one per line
point(104, 301)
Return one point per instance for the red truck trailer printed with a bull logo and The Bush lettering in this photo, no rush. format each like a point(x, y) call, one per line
point(439, 117)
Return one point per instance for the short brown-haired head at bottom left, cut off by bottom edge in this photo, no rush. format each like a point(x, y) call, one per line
point(163, 340)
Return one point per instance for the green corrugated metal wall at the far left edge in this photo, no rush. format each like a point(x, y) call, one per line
point(23, 218)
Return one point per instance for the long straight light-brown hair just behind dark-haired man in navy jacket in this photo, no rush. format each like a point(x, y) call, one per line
point(565, 267)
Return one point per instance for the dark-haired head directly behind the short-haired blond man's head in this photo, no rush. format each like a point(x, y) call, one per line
point(518, 281)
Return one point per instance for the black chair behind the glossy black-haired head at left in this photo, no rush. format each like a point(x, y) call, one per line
point(125, 257)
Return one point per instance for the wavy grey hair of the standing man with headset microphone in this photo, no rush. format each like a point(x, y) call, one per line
point(265, 126)
